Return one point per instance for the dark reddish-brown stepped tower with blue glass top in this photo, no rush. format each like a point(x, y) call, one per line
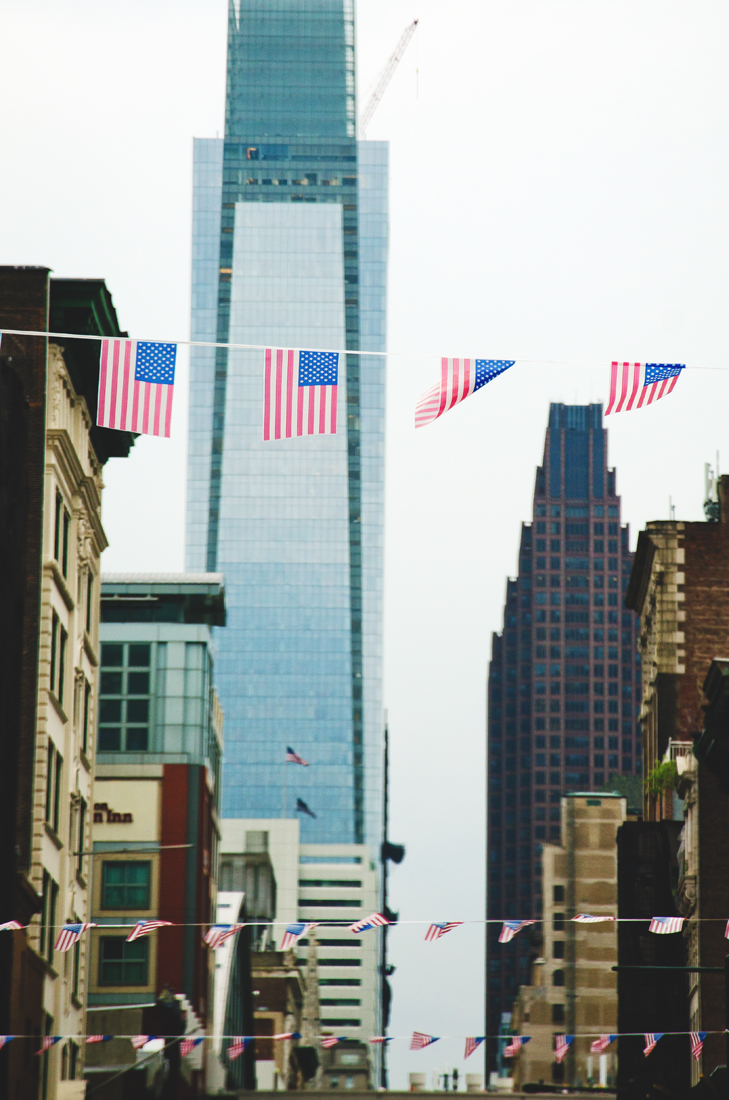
point(564, 684)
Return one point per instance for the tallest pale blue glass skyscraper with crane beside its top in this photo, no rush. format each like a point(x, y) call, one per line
point(290, 249)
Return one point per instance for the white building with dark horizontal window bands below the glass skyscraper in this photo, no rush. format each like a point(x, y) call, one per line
point(333, 886)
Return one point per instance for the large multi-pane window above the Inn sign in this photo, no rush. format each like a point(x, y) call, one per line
point(125, 700)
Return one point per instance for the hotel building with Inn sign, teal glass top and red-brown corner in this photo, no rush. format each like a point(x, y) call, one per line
point(157, 796)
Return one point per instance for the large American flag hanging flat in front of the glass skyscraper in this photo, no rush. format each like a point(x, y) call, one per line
point(300, 393)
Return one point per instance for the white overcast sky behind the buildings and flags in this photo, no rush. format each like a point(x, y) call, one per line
point(559, 183)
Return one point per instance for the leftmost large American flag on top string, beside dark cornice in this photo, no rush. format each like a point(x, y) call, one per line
point(136, 387)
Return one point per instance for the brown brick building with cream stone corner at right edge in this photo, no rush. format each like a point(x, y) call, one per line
point(680, 588)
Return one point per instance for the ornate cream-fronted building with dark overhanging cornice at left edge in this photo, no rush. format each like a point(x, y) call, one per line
point(51, 480)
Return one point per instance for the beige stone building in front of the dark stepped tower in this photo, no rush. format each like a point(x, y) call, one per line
point(575, 991)
